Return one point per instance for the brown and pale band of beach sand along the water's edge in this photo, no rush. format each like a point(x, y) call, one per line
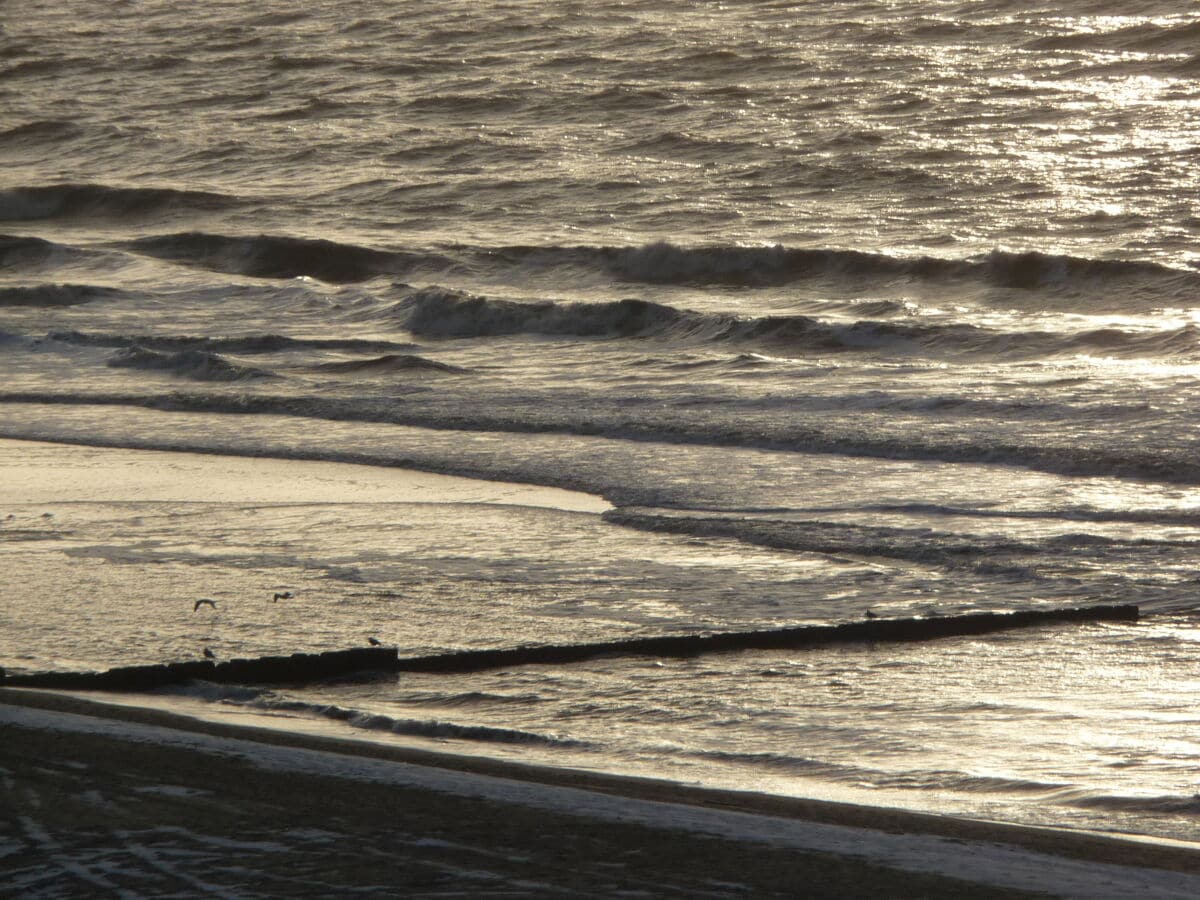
point(911, 842)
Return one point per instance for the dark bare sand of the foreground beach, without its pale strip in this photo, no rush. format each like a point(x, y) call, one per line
point(91, 815)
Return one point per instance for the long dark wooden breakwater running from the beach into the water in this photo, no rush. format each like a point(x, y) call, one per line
point(302, 668)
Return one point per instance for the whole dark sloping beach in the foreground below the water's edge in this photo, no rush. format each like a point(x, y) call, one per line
point(115, 800)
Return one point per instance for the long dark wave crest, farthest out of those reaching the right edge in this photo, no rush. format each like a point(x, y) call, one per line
point(283, 257)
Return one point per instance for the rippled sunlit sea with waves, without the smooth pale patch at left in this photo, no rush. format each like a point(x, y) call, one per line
point(833, 309)
